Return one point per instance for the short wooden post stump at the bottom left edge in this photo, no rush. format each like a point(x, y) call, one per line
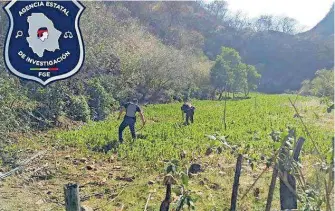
point(72, 199)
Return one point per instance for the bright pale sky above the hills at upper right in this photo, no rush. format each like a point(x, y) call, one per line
point(307, 12)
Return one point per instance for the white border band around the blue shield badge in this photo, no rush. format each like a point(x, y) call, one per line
point(55, 78)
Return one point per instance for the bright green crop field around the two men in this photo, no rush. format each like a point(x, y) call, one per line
point(249, 122)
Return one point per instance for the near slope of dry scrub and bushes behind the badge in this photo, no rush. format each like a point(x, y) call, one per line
point(131, 62)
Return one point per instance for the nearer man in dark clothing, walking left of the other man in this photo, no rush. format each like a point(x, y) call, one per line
point(130, 118)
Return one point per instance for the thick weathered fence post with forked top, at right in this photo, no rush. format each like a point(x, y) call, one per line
point(288, 200)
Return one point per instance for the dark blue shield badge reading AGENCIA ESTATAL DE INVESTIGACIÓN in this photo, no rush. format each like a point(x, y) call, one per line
point(44, 42)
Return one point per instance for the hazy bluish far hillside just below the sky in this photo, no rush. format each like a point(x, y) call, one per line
point(285, 60)
